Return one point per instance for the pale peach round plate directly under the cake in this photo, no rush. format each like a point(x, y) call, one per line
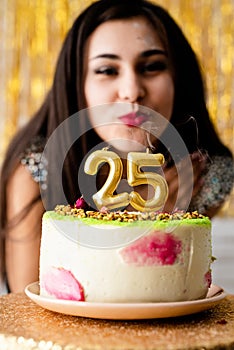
point(125, 311)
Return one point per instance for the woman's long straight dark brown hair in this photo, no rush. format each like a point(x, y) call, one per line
point(66, 95)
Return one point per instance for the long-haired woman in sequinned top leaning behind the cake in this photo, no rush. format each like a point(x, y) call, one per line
point(117, 51)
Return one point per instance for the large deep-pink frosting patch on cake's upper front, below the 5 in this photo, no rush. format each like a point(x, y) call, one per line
point(155, 249)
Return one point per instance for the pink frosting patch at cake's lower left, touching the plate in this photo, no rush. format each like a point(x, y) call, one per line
point(62, 284)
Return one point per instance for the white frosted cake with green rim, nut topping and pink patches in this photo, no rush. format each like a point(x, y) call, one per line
point(124, 257)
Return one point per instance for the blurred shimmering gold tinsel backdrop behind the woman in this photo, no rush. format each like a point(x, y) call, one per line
point(32, 31)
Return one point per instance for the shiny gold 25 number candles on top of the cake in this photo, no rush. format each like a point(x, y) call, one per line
point(135, 161)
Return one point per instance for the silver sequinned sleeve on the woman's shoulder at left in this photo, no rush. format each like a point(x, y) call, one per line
point(32, 159)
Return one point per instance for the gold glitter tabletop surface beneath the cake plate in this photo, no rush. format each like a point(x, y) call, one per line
point(25, 325)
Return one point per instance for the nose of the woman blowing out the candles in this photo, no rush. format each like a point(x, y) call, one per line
point(131, 88)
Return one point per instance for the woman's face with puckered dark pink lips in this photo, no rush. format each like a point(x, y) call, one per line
point(127, 66)
